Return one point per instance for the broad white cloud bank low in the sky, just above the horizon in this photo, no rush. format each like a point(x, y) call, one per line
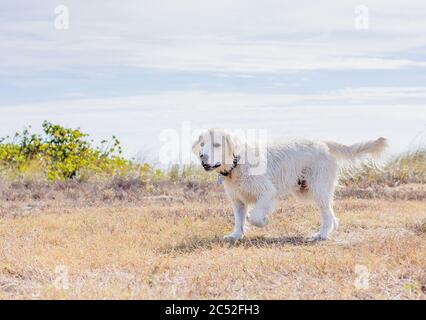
point(347, 115)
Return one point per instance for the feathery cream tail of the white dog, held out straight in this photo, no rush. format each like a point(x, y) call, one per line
point(373, 148)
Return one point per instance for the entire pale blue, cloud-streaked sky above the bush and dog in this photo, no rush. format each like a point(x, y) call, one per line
point(341, 70)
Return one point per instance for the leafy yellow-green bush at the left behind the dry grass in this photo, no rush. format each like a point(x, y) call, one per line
point(62, 153)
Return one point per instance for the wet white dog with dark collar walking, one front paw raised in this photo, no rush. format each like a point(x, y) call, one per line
point(306, 169)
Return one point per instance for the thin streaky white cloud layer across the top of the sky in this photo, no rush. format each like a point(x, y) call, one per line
point(229, 36)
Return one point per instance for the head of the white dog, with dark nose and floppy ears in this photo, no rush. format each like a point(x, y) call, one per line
point(216, 149)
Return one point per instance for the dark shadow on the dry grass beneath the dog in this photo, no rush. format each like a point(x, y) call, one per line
point(196, 243)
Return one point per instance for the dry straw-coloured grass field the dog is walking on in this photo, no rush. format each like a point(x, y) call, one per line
point(134, 242)
